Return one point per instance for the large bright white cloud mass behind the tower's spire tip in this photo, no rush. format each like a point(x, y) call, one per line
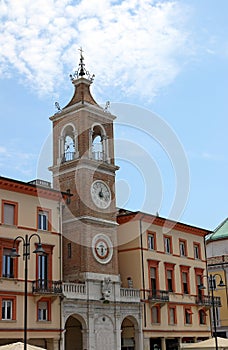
point(136, 46)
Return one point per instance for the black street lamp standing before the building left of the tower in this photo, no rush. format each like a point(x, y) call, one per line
point(26, 255)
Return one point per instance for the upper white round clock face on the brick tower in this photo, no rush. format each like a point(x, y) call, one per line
point(101, 194)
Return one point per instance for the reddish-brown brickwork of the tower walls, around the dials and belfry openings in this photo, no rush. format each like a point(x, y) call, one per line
point(82, 219)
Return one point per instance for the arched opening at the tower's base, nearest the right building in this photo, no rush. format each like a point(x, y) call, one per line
point(128, 334)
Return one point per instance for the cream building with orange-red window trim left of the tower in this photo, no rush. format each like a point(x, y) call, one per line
point(30, 210)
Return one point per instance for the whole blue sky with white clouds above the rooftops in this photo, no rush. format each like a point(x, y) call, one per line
point(163, 65)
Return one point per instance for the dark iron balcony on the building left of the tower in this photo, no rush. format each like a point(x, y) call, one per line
point(47, 287)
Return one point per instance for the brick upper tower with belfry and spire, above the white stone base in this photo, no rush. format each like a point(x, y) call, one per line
point(84, 166)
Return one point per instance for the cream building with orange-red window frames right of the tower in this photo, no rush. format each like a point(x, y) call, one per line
point(166, 261)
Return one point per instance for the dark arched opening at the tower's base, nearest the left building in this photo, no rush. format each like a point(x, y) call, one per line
point(73, 334)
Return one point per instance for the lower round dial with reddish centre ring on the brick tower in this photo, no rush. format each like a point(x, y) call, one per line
point(102, 248)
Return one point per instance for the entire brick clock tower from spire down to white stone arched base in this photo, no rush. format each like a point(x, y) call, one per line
point(84, 166)
